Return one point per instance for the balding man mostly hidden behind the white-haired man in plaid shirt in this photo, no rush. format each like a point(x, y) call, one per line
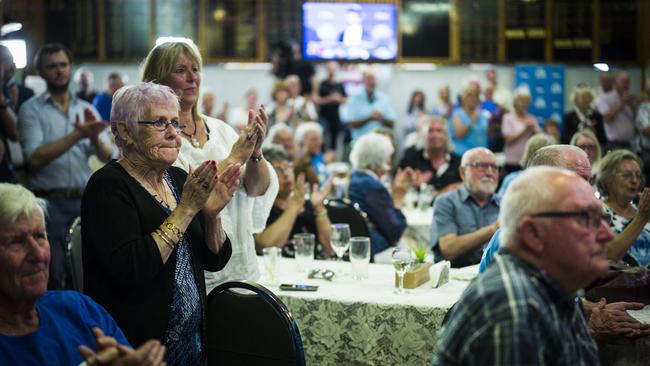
point(560, 156)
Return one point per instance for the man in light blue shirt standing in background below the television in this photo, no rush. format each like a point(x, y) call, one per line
point(368, 110)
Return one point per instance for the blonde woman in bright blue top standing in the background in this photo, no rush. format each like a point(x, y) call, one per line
point(469, 123)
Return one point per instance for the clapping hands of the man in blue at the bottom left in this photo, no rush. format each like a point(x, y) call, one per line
point(109, 352)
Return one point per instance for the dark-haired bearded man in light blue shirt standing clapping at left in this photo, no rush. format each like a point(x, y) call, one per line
point(58, 133)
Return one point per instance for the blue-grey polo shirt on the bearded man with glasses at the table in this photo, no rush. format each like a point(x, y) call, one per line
point(456, 212)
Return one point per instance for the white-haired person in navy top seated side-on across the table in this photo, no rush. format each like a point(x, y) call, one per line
point(370, 159)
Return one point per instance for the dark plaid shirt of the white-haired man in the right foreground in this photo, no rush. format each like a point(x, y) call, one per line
point(515, 314)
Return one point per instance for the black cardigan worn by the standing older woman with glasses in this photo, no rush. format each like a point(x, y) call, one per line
point(123, 270)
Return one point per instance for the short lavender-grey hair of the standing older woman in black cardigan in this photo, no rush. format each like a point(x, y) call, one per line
point(132, 103)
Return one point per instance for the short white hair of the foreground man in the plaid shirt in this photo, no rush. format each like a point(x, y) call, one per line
point(530, 192)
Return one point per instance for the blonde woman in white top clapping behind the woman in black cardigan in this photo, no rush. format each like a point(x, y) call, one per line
point(178, 64)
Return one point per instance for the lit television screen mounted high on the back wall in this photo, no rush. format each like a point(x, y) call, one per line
point(349, 31)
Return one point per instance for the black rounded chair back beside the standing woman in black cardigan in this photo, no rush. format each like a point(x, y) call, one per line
point(248, 325)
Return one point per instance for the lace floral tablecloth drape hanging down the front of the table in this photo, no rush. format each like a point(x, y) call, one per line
point(358, 333)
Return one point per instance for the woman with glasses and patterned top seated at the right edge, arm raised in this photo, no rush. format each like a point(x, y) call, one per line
point(620, 180)
